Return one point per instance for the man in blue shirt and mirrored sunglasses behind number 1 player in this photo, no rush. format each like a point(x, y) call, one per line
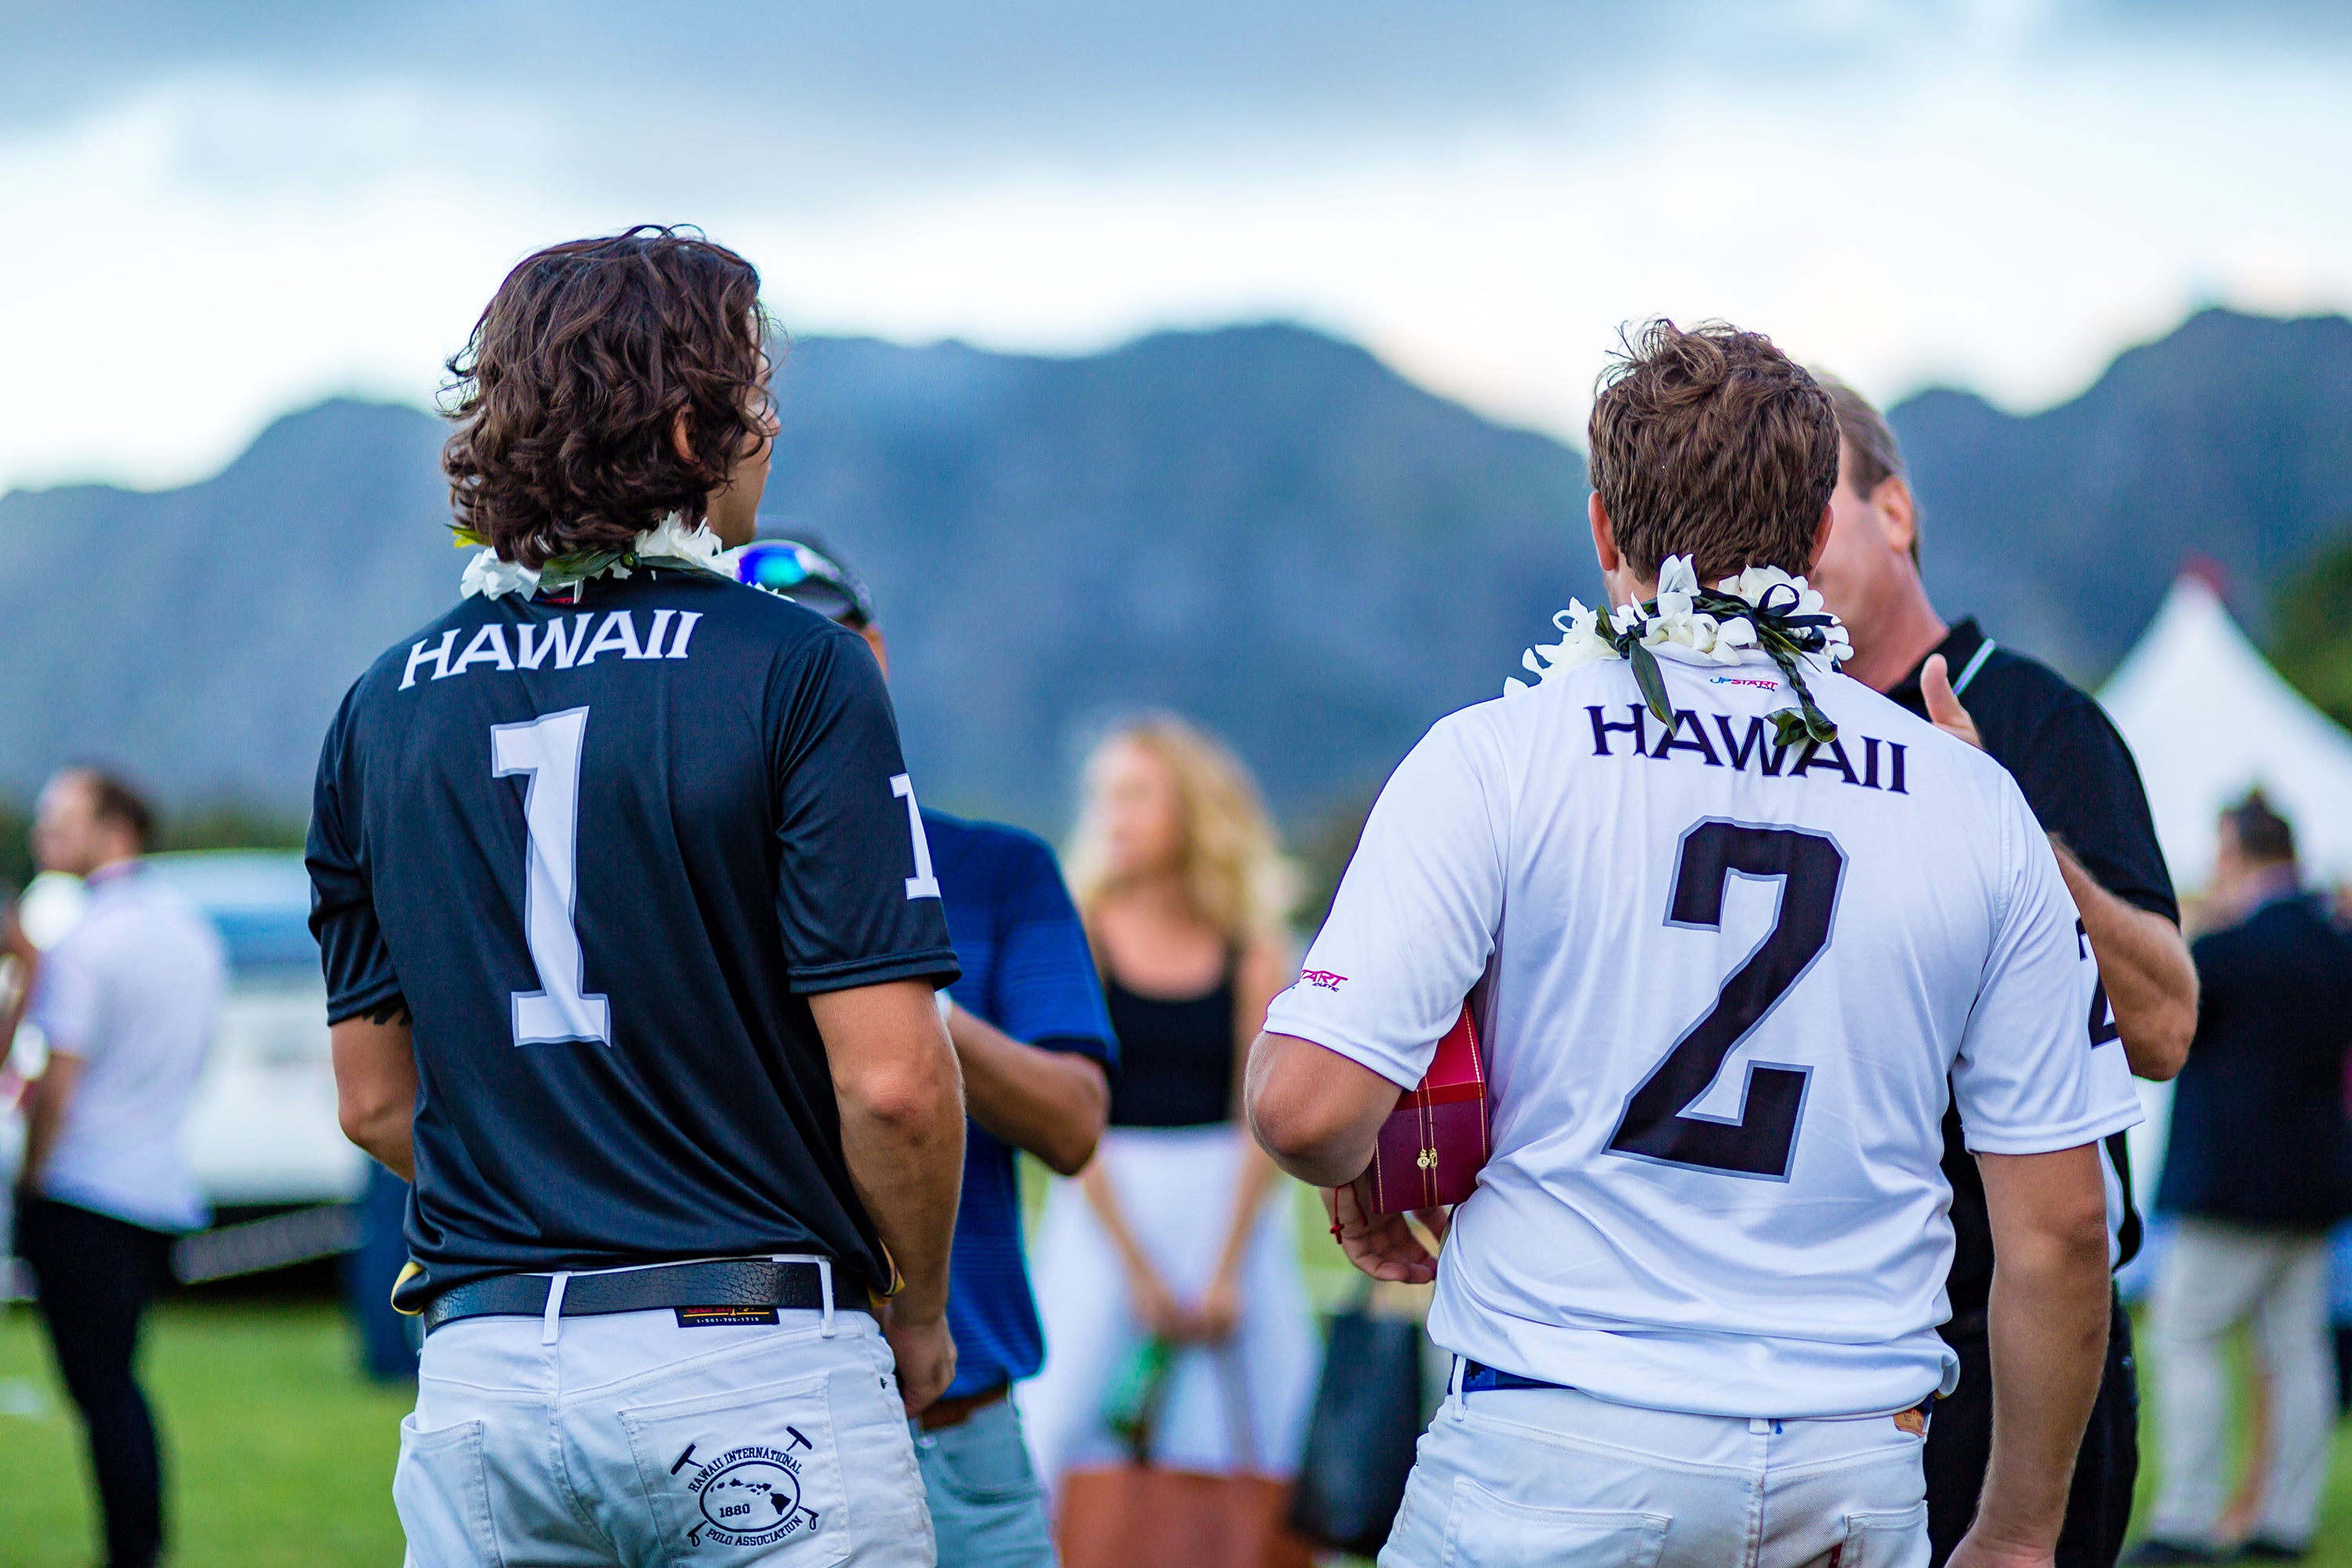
point(1034, 1038)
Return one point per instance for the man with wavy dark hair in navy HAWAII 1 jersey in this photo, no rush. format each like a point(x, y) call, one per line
point(632, 944)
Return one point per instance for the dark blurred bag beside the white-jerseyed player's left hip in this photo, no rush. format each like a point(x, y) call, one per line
point(1361, 1440)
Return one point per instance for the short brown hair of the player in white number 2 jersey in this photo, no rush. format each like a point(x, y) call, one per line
point(1716, 445)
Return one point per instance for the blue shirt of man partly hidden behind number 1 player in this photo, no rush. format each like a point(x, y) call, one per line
point(1031, 974)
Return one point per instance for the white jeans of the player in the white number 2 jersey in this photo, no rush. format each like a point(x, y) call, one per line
point(1523, 1477)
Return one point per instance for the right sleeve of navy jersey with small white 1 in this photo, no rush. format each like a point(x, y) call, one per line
point(857, 897)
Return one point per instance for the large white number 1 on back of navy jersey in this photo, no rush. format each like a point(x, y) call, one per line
point(547, 751)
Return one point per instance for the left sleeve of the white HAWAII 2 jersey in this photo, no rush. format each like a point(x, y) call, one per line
point(1417, 911)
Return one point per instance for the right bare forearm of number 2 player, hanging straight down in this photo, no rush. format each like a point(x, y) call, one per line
point(2050, 1336)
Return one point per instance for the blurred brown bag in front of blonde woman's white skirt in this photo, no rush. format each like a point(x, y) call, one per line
point(1142, 1515)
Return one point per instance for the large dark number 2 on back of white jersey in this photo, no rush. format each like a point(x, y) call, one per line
point(1659, 1123)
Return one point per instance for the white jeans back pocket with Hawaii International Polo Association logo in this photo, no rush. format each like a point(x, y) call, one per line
point(744, 1468)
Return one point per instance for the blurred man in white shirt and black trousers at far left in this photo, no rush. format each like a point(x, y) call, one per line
point(126, 1003)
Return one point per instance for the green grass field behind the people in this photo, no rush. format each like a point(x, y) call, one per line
point(281, 1454)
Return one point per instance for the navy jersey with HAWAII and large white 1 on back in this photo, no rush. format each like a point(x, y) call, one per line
point(603, 852)
